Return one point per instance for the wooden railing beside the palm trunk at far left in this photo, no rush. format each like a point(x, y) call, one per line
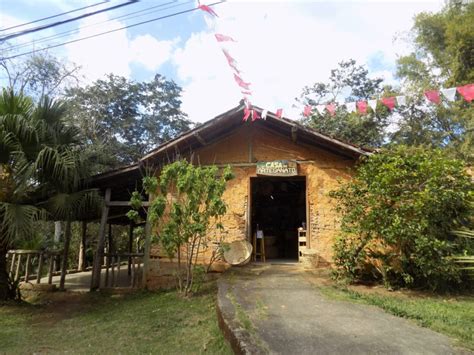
point(27, 264)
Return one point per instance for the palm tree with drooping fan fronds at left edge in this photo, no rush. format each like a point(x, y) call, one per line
point(38, 158)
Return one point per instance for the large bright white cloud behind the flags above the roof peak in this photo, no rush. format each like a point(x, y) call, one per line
point(285, 46)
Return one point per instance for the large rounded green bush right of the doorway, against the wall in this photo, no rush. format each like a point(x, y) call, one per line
point(397, 214)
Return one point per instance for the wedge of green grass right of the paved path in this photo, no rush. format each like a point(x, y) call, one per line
point(453, 317)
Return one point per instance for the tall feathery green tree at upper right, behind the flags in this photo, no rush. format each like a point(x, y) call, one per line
point(443, 57)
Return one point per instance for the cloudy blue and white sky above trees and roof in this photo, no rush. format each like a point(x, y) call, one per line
point(280, 47)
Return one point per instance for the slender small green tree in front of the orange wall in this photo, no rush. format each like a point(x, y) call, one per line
point(190, 199)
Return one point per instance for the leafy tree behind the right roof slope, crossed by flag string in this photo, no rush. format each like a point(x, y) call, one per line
point(351, 82)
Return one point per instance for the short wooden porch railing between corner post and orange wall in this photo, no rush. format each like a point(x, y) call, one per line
point(114, 269)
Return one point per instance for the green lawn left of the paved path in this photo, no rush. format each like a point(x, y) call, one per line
point(145, 322)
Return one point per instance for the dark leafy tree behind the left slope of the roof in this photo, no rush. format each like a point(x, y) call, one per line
point(123, 119)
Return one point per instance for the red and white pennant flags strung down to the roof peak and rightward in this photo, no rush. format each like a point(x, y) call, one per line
point(432, 96)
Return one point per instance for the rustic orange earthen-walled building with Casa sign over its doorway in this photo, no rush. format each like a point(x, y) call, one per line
point(283, 173)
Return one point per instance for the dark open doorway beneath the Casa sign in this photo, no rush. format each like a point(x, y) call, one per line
point(278, 207)
